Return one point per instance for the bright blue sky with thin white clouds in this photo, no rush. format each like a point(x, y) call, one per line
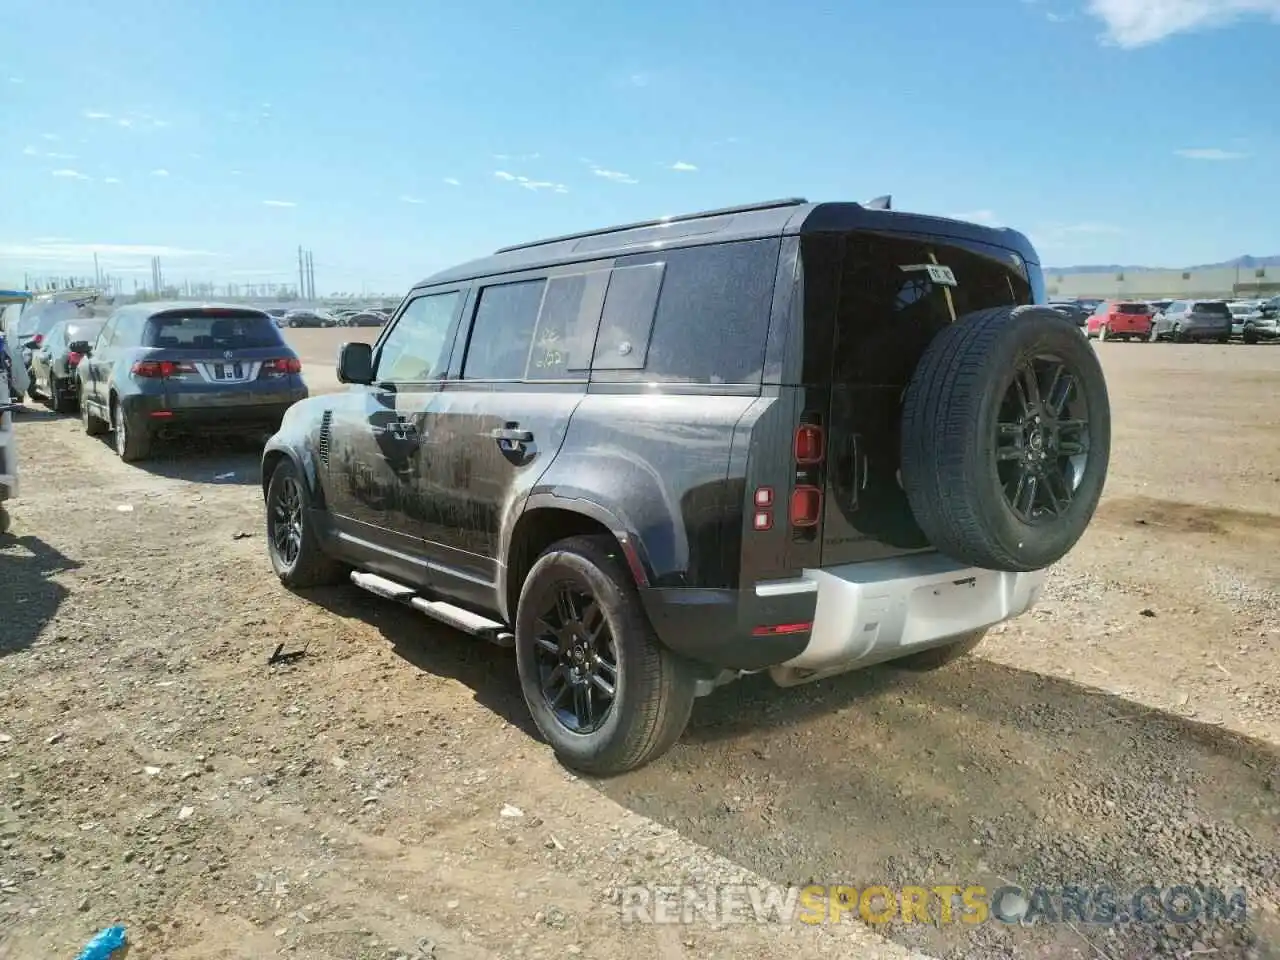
point(396, 138)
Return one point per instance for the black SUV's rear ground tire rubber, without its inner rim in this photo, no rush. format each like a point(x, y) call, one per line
point(655, 691)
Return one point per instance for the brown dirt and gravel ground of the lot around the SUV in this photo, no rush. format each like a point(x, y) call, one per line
point(386, 797)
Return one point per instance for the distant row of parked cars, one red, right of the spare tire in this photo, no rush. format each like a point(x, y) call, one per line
point(1178, 321)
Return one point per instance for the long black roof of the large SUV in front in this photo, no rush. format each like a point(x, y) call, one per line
point(775, 218)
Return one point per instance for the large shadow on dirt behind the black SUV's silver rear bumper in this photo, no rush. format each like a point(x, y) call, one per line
point(973, 775)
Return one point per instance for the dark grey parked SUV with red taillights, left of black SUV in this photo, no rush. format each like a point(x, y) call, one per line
point(163, 369)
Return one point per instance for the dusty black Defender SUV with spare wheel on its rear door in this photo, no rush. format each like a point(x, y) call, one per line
point(790, 437)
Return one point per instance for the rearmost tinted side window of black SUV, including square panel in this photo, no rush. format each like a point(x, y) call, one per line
point(711, 321)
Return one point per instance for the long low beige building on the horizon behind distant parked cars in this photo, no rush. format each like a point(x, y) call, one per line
point(1227, 284)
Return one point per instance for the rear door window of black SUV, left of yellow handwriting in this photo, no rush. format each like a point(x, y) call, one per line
point(502, 335)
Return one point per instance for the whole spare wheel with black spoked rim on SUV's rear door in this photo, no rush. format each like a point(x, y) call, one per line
point(1007, 436)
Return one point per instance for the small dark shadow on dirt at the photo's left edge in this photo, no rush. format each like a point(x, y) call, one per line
point(29, 597)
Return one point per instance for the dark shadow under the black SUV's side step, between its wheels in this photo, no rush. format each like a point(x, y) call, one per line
point(437, 650)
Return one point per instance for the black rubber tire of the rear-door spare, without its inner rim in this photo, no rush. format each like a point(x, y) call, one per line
point(950, 417)
